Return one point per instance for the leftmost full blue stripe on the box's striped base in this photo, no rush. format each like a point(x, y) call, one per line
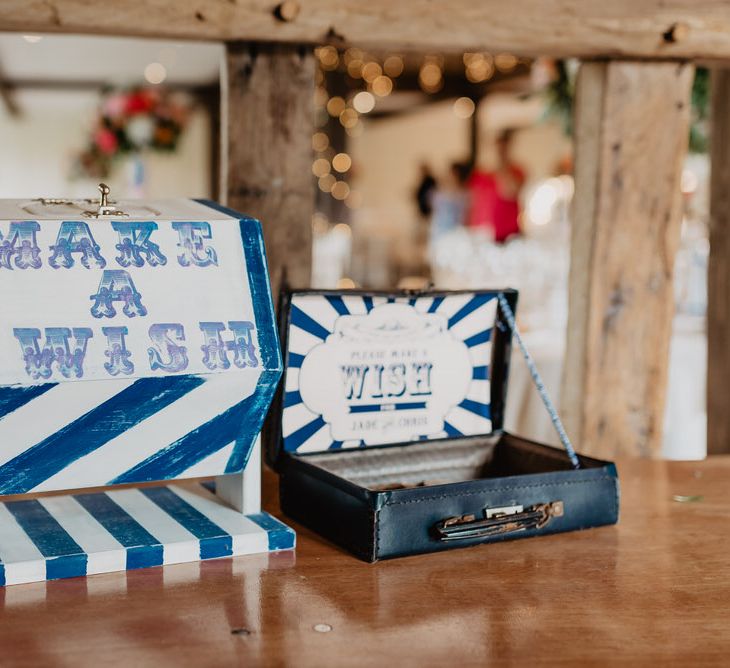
point(64, 556)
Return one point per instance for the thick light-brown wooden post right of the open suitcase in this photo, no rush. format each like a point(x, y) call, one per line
point(632, 123)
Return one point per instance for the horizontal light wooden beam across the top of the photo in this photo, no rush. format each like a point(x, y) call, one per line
point(655, 29)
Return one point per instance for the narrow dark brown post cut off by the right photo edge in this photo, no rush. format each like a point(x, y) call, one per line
point(718, 302)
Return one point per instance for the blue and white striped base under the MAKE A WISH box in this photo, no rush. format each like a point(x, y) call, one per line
point(82, 534)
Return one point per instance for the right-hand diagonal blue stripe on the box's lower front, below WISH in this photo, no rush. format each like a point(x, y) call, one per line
point(174, 459)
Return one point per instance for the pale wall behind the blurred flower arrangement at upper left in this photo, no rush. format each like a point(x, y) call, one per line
point(37, 150)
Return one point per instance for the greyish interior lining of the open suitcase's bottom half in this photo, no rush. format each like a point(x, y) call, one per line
point(440, 462)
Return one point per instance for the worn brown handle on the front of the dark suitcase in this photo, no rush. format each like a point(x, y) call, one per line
point(498, 522)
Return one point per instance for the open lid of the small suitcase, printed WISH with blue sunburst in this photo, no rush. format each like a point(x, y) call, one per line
point(367, 369)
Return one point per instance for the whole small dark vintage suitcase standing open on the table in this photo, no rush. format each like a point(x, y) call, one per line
point(387, 428)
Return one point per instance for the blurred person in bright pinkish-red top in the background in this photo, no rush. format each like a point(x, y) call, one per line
point(495, 195)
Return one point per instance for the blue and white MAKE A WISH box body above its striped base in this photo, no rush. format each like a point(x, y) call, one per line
point(132, 347)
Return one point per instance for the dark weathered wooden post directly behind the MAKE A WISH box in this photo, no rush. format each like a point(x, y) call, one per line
point(267, 124)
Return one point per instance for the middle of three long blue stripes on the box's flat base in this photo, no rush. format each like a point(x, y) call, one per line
point(143, 549)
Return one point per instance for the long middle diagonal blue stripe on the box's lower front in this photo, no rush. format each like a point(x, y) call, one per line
point(123, 411)
